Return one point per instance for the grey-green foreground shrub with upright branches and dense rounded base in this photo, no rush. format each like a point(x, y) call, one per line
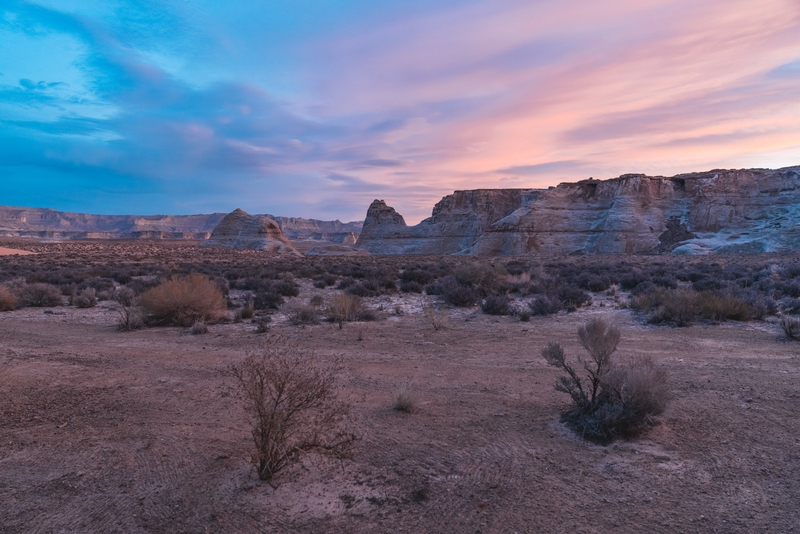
point(615, 398)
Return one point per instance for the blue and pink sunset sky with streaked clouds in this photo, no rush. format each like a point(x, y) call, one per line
point(313, 108)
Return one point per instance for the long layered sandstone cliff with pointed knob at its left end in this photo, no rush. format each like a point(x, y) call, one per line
point(740, 211)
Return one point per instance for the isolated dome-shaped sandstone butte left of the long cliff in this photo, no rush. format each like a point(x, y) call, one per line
point(242, 231)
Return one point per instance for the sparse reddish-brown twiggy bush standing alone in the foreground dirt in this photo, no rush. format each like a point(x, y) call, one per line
point(293, 405)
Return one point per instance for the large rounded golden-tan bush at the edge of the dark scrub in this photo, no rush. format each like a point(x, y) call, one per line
point(181, 301)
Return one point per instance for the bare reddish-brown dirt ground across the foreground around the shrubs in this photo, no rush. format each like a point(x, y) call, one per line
point(105, 431)
